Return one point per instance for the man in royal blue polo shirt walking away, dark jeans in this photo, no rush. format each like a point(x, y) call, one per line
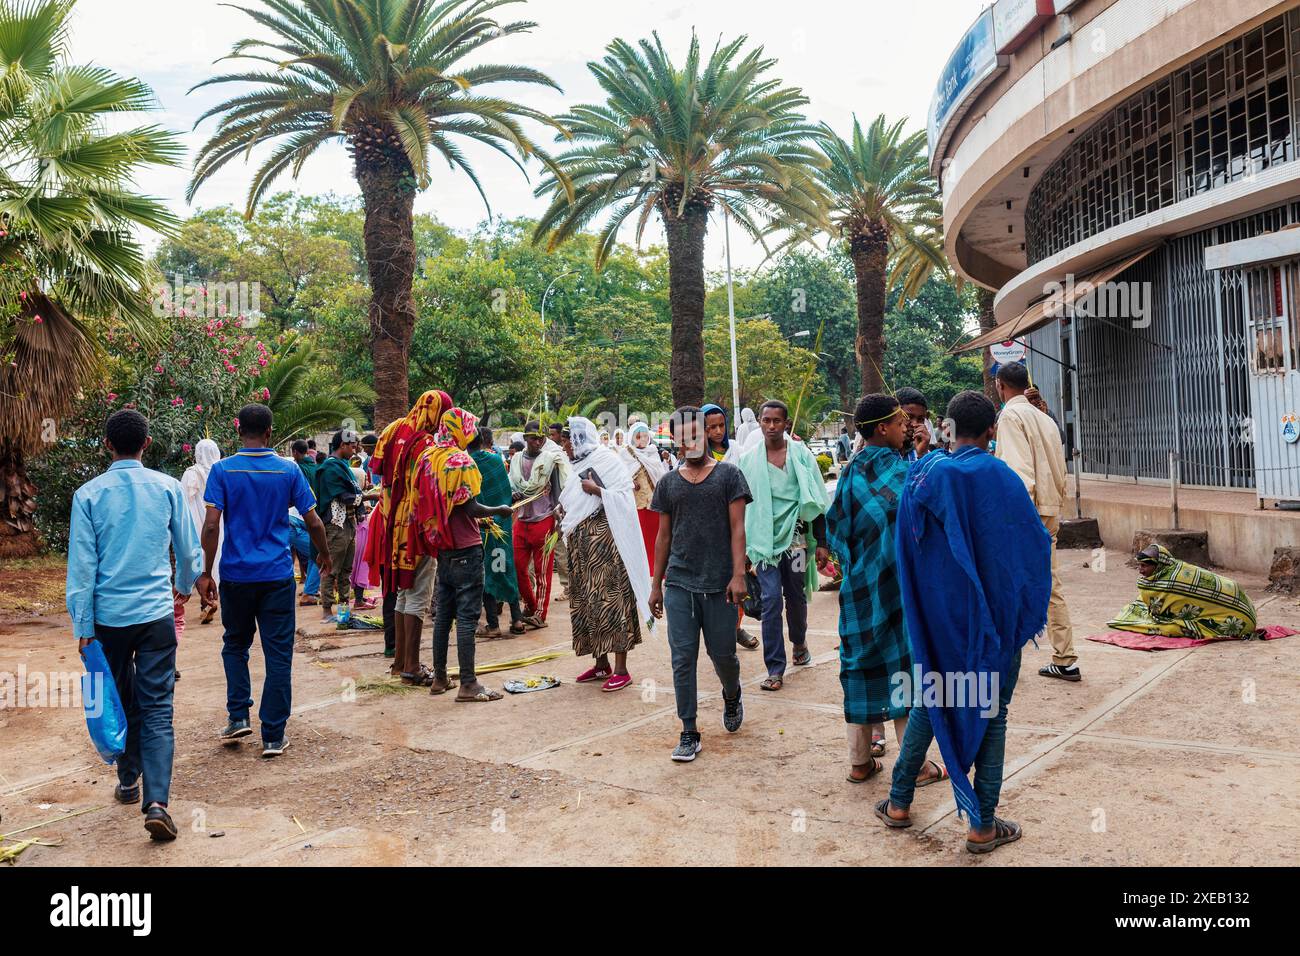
point(252, 492)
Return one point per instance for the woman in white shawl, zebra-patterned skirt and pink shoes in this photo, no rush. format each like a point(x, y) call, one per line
point(609, 573)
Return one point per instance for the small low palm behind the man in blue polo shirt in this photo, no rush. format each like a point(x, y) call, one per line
point(298, 412)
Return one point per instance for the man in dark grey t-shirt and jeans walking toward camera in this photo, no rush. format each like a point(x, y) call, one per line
point(700, 572)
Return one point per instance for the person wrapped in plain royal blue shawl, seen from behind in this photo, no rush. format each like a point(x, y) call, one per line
point(976, 572)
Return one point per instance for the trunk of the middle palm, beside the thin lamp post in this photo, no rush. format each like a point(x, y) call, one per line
point(687, 301)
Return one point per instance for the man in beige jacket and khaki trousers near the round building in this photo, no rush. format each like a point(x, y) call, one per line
point(1030, 443)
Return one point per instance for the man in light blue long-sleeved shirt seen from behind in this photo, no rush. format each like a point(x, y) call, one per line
point(120, 592)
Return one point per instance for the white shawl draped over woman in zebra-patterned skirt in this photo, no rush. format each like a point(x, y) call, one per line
point(616, 498)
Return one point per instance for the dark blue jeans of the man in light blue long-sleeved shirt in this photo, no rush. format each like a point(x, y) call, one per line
point(142, 659)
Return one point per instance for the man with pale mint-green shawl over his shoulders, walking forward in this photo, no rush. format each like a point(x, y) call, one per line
point(785, 527)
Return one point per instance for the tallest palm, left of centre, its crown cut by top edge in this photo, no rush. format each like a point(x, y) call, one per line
point(383, 77)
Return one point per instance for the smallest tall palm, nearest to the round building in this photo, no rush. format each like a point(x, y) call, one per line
point(886, 206)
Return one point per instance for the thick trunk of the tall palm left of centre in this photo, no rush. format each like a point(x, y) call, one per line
point(389, 198)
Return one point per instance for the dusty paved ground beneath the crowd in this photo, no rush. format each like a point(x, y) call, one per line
point(1155, 759)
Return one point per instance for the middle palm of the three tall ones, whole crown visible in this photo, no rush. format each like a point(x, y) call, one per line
point(683, 142)
